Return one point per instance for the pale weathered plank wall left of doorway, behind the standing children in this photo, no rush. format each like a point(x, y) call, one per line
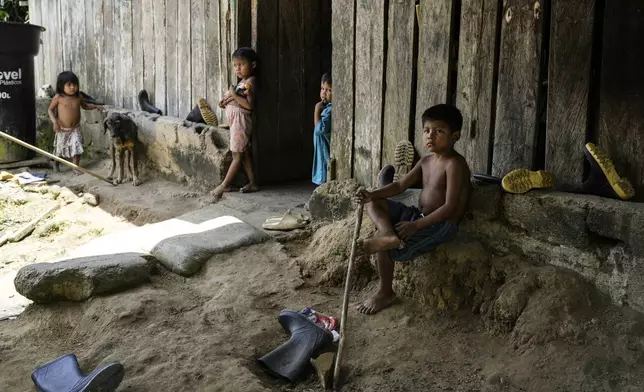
point(117, 47)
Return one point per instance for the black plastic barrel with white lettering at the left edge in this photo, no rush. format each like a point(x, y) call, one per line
point(19, 44)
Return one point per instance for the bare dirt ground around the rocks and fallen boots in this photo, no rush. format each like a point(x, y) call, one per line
point(205, 333)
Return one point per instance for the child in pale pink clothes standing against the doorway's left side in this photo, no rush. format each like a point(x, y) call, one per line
point(238, 103)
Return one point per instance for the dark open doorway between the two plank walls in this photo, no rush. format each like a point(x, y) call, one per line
point(293, 40)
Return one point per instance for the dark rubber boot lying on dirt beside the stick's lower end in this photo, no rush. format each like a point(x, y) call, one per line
point(307, 341)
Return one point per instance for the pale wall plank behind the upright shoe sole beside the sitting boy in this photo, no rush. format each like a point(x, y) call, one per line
point(402, 18)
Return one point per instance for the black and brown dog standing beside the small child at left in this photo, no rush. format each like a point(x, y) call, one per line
point(124, 138)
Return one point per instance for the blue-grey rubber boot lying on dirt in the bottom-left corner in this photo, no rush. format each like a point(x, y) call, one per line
point(64, 375)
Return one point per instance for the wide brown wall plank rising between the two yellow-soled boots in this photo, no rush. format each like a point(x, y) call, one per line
point(571, 43)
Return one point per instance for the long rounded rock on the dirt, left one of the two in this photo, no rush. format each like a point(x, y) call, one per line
point(81, 278)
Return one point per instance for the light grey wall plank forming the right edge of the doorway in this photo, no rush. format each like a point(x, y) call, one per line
point(342, 36)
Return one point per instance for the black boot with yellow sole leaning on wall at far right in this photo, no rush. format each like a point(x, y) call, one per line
point(604, 180)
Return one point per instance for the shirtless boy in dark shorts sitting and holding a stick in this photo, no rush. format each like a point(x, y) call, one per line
point(407, 232)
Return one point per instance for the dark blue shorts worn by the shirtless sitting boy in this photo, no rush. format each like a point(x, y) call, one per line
point(424, 240)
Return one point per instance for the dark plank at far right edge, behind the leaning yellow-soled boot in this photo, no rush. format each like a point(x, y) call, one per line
point(621, 120)
